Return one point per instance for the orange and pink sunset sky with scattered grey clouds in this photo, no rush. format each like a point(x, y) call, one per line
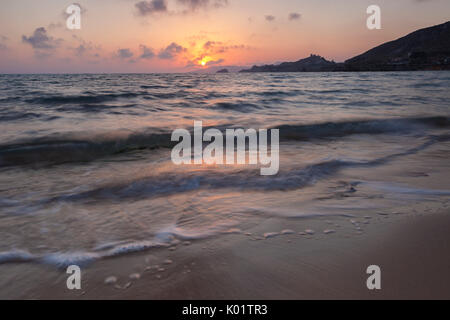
point(186, 35)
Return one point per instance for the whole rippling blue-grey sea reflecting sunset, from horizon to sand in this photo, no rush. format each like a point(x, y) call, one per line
point(86, 170)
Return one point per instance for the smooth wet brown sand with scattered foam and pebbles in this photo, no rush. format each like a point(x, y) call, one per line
point(412, 249)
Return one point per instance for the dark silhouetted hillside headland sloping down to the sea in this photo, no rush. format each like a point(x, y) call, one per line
point(424, 49)
